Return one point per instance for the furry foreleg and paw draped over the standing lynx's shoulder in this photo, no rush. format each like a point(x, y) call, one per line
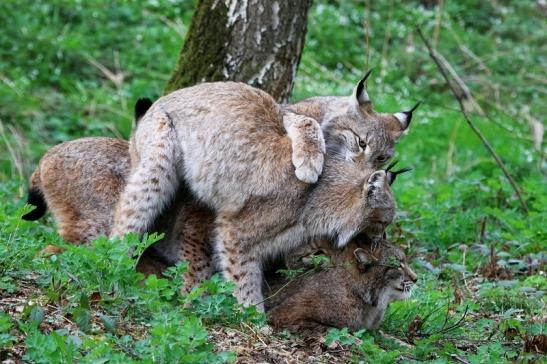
point(308, 146)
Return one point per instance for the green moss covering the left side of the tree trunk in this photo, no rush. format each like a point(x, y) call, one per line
point(204, 50)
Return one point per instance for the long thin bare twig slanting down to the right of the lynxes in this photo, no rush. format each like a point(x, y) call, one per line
point(461, 97)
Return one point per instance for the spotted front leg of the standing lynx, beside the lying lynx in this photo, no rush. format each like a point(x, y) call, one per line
point(238, 264)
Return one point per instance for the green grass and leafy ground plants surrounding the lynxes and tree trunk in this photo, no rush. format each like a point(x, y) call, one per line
point(71, 69)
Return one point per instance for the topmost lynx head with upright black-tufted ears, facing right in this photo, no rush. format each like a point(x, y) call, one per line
point(357, 133)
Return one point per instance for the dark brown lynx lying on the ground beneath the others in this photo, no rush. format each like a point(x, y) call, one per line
point(353, 290)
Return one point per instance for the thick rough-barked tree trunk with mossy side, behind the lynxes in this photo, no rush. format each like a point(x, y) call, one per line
point(258, 42)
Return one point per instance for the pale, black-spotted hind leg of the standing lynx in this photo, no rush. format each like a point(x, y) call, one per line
point(154, 178)
